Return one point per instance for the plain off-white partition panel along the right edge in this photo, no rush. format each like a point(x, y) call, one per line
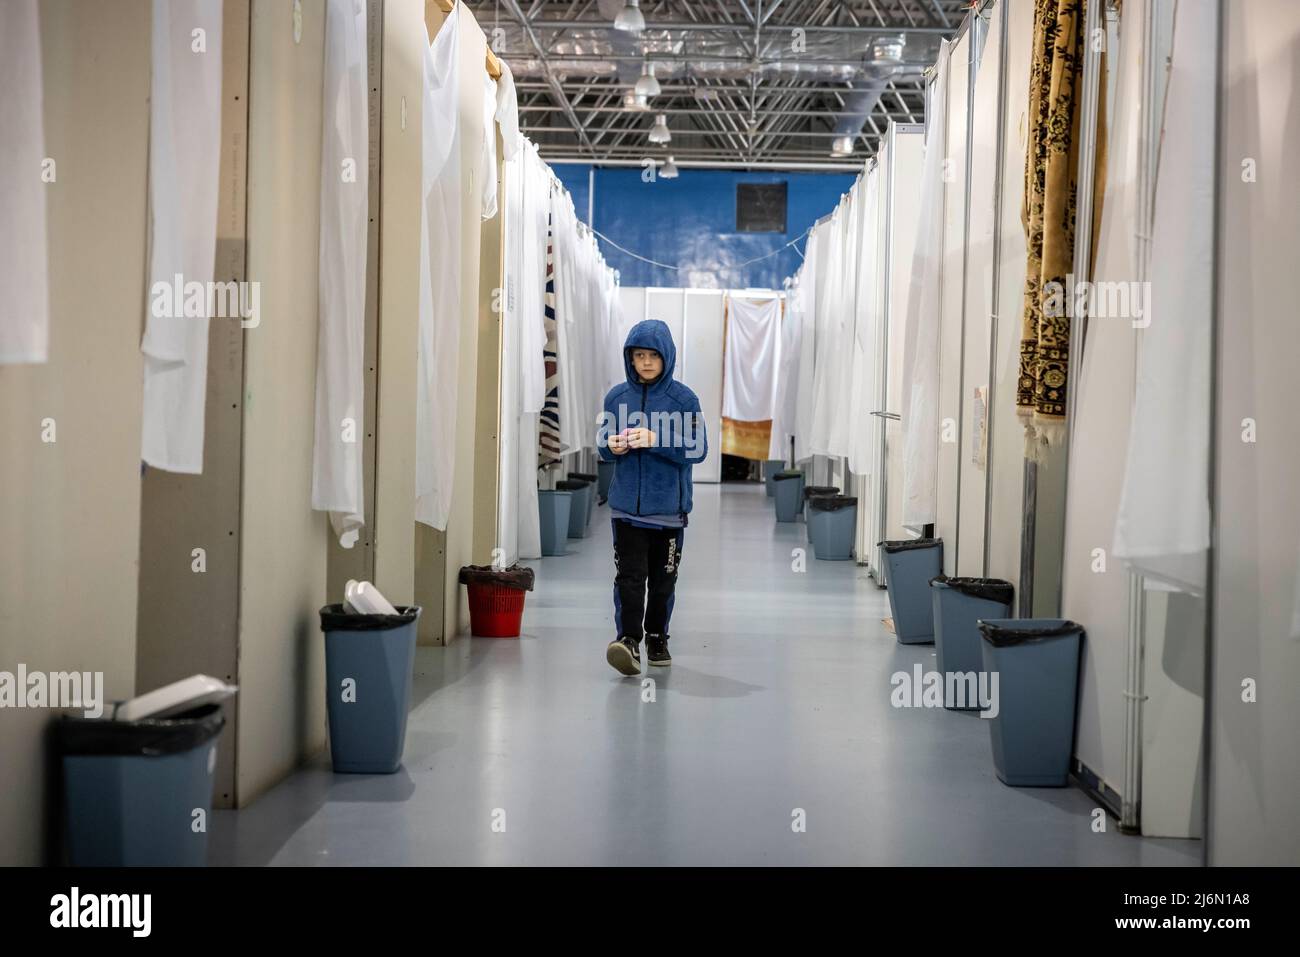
point(1255, 711)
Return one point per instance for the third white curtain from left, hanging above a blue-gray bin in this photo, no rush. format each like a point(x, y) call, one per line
point(337, 469)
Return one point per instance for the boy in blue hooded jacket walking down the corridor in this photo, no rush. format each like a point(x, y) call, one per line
point(653, 430)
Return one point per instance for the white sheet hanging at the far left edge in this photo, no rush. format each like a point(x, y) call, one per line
point(24, 259)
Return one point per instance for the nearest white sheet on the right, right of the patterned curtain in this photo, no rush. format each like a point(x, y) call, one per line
point(1163, 529)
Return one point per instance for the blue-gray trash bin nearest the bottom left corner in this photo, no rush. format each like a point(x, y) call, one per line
point(133, 790)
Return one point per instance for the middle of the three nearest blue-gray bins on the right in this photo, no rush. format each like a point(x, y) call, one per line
point(959, 607)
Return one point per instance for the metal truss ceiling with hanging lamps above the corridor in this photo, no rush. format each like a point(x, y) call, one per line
point(746, 84)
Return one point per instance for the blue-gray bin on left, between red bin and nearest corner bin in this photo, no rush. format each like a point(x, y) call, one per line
point(369, 666)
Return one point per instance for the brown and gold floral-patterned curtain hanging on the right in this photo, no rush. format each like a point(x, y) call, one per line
point(1051, 185)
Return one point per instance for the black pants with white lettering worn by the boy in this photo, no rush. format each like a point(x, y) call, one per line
point(645, 562)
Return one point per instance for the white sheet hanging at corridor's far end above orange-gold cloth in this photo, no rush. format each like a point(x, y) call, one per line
point(753, 343)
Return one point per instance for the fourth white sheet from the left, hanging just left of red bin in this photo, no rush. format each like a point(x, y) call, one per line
point(440, 276)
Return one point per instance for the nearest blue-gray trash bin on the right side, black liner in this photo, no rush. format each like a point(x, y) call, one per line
point(1037, 662)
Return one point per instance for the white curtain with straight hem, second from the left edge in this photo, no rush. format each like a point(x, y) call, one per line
point(185, 164)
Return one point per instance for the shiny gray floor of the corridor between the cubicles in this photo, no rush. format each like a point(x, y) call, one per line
point(778, 700)
